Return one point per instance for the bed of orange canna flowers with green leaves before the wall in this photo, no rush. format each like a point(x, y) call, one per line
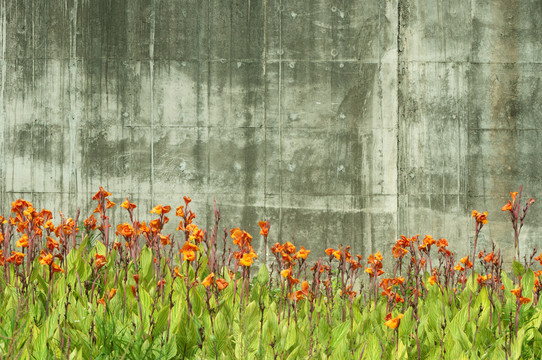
point(94, 291)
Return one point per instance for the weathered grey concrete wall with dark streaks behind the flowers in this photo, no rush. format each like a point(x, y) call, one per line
point(341, 122)
